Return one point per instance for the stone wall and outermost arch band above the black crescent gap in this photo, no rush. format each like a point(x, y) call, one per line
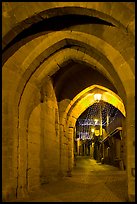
point(47, 10)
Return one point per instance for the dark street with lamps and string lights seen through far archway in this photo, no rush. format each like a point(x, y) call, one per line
point(99, 135)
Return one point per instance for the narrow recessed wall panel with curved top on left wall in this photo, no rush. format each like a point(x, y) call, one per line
point(34, 143)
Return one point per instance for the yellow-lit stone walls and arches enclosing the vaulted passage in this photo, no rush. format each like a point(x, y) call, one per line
point(52, 53)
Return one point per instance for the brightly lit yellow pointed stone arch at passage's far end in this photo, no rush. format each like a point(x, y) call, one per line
point(78, 105)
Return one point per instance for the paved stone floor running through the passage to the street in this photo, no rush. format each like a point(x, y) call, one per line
point(90, 182)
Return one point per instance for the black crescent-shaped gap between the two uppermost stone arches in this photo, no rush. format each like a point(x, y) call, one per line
point(48, 25)
